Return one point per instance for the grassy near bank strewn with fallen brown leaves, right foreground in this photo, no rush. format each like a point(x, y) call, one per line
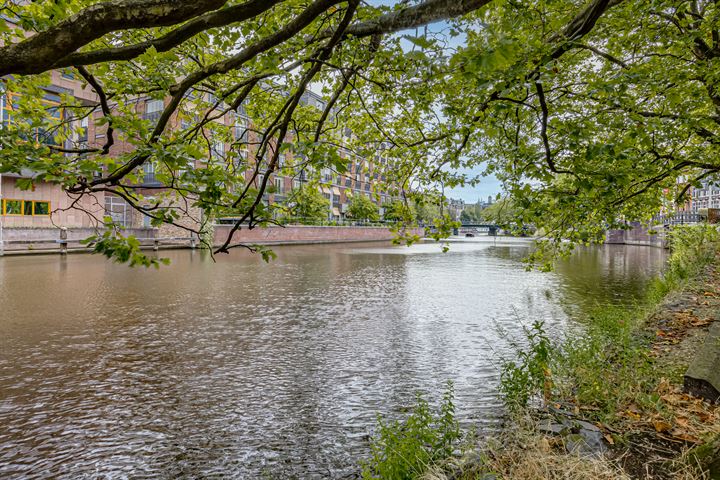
point(606, 402)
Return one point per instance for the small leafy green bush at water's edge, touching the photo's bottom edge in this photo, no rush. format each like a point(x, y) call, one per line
point(403, 450)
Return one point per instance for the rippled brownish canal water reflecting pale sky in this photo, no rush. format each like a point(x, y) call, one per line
point(238, 369)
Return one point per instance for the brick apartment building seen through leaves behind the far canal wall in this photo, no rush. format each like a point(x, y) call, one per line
point(47, 206)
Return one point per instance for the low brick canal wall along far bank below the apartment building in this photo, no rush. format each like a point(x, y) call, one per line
point(20, 241)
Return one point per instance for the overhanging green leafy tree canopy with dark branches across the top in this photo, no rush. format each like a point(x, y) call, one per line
point(589, 112)
